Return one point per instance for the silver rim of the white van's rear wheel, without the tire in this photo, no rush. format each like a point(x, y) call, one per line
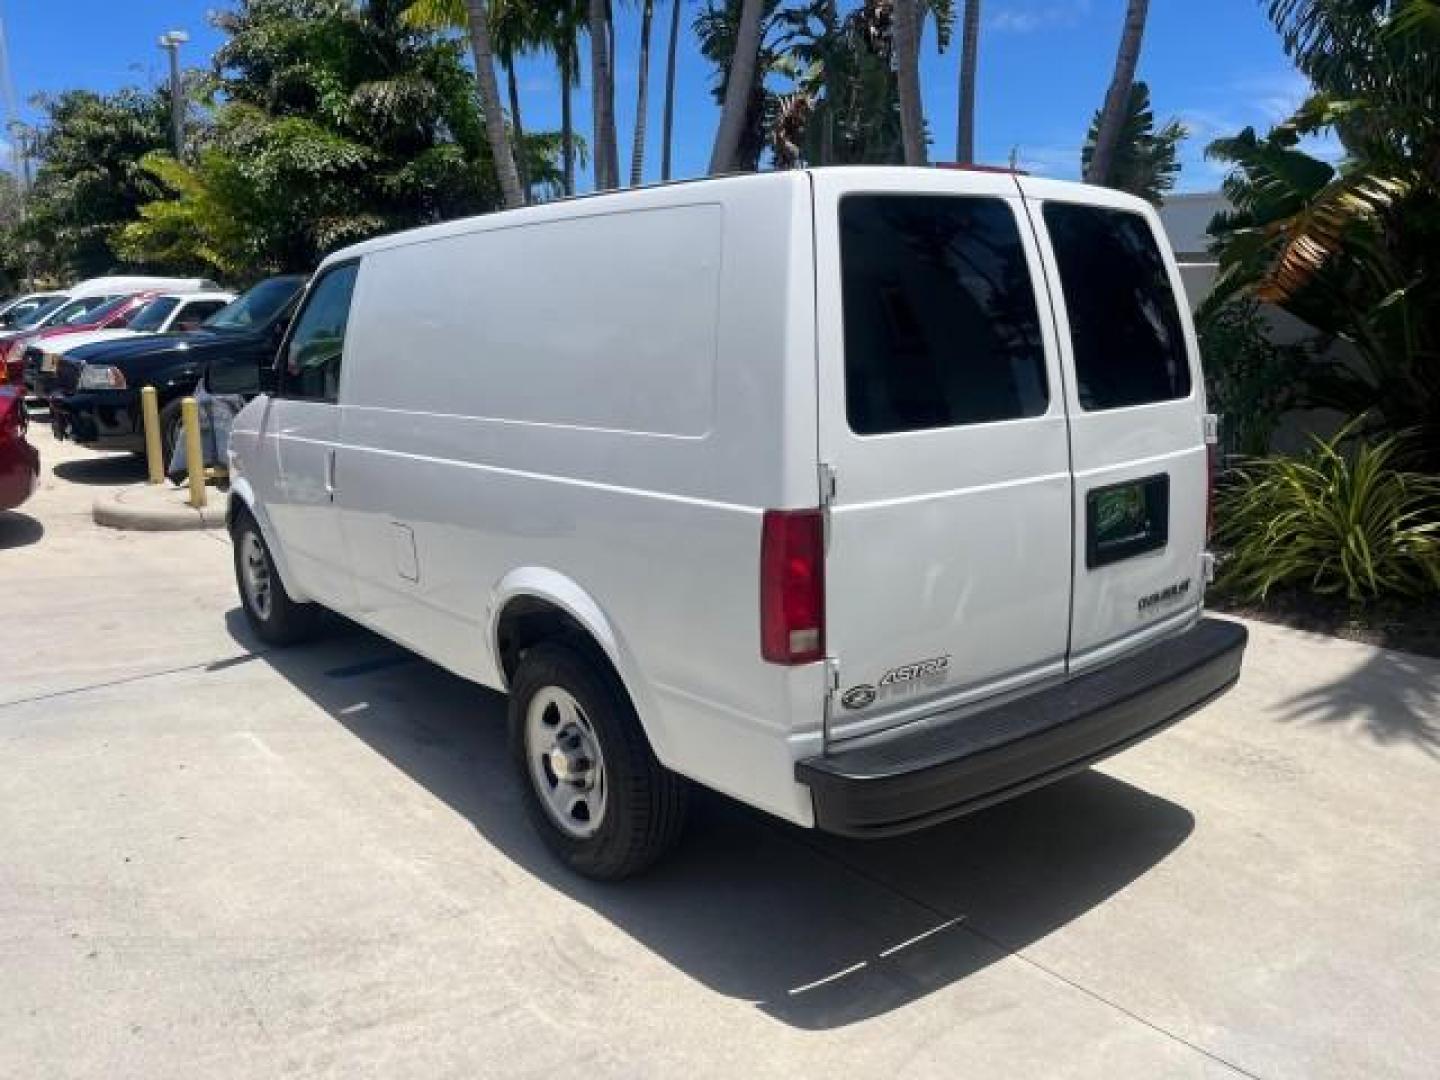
point(567, 765)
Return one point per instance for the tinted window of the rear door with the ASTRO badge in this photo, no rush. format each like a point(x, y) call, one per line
point(941, 320)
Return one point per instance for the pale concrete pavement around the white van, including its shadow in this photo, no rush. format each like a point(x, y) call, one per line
point(315, 863)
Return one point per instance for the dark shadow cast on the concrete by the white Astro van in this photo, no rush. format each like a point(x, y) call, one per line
point(817, 931)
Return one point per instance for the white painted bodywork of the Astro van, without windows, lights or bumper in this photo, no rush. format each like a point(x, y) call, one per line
point(594, 404)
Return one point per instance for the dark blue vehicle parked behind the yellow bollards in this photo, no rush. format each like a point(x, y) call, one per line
point(97, 391)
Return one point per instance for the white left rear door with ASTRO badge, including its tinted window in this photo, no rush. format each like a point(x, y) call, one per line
point(942, 438)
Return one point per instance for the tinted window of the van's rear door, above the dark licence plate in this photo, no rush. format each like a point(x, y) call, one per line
point(1130, 342)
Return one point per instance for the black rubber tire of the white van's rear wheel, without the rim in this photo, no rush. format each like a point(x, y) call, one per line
point(644, 807)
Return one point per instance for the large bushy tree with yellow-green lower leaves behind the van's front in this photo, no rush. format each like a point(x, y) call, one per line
point(336, 122)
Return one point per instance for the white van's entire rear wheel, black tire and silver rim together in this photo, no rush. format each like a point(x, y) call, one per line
point(594, 788)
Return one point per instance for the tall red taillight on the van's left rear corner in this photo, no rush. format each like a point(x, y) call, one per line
point(793, 587)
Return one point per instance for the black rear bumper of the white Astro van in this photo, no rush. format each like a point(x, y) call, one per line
point(950, 765)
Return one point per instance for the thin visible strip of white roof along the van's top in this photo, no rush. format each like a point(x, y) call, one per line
point(559, 210)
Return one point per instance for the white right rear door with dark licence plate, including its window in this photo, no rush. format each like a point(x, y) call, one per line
point(1137, 418)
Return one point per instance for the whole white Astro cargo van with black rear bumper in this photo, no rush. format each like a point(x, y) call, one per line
point(865, 496)
